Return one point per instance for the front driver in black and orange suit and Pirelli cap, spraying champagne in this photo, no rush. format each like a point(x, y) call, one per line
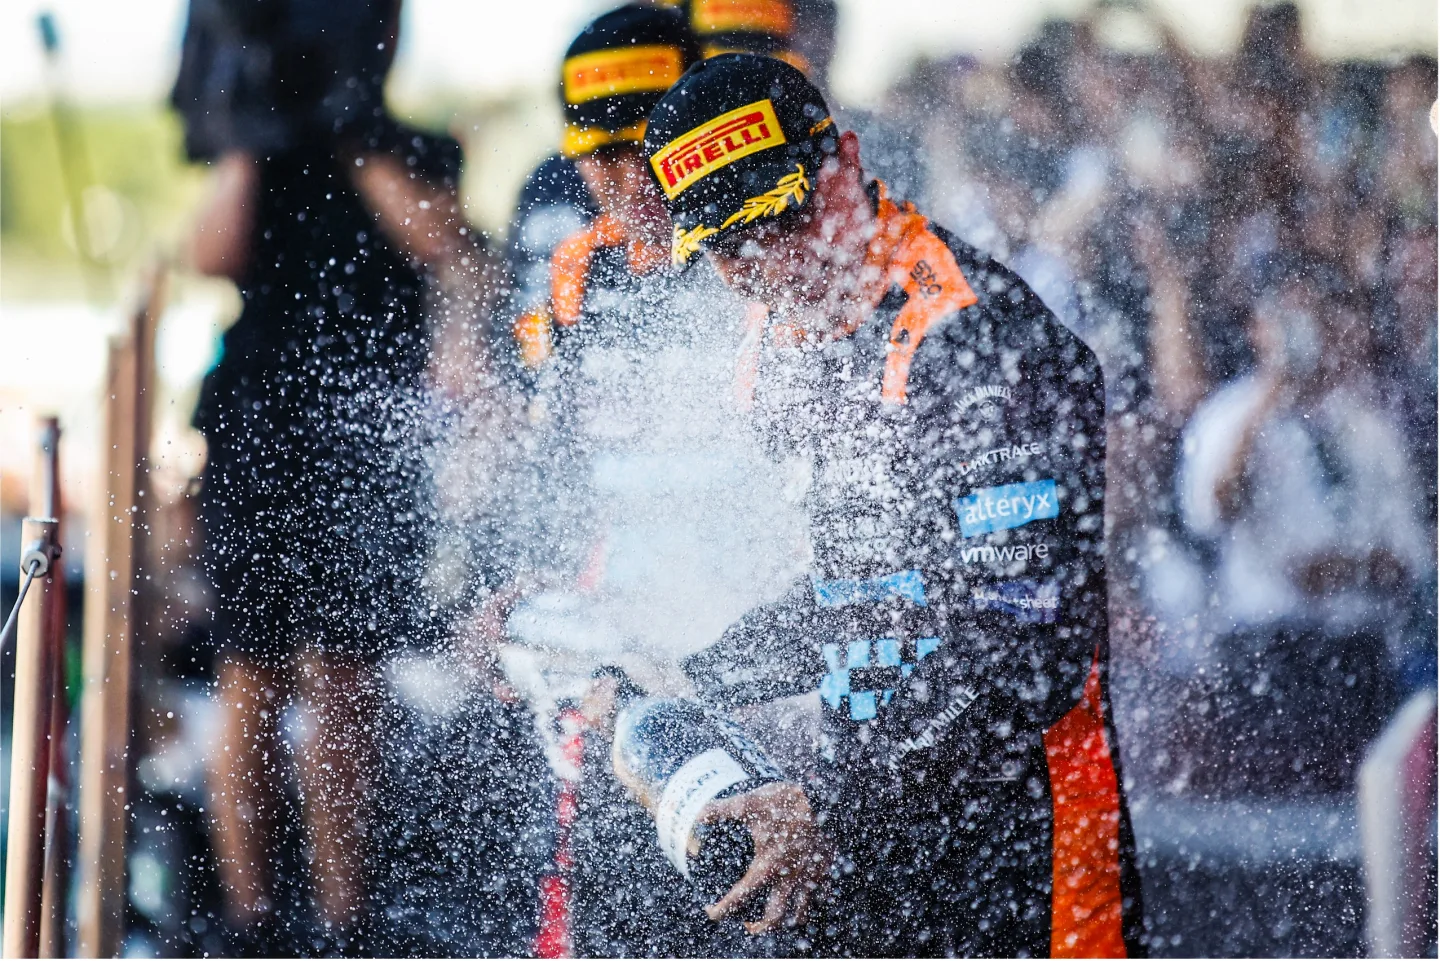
point(967, 797)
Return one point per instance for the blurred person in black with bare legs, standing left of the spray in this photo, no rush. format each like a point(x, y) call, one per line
point(332, 218)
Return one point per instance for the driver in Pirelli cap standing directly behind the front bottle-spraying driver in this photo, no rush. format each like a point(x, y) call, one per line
point(611, 74)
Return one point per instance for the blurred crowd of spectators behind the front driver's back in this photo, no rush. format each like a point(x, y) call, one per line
point(1249, 244)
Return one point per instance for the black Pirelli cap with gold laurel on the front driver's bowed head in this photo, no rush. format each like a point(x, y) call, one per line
point(737, 140)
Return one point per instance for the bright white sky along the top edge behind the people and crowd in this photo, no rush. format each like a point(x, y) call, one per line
point(126, 50)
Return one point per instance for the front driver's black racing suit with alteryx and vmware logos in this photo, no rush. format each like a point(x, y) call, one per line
point(955, 619)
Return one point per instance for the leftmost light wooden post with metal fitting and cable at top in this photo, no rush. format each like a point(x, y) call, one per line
point(31, 748)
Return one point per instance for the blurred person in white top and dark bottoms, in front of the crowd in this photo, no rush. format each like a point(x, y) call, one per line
point(1301, 482)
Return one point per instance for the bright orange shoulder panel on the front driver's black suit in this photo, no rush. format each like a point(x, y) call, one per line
point(937, 289)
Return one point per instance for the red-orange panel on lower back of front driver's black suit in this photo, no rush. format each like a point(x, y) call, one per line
point(1085, 901)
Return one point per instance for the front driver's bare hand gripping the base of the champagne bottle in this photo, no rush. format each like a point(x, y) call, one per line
point(790, 861)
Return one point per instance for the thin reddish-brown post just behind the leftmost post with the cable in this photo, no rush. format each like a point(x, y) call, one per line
point(45, 502)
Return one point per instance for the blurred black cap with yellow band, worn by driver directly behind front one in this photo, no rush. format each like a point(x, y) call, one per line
point(617, 71)
